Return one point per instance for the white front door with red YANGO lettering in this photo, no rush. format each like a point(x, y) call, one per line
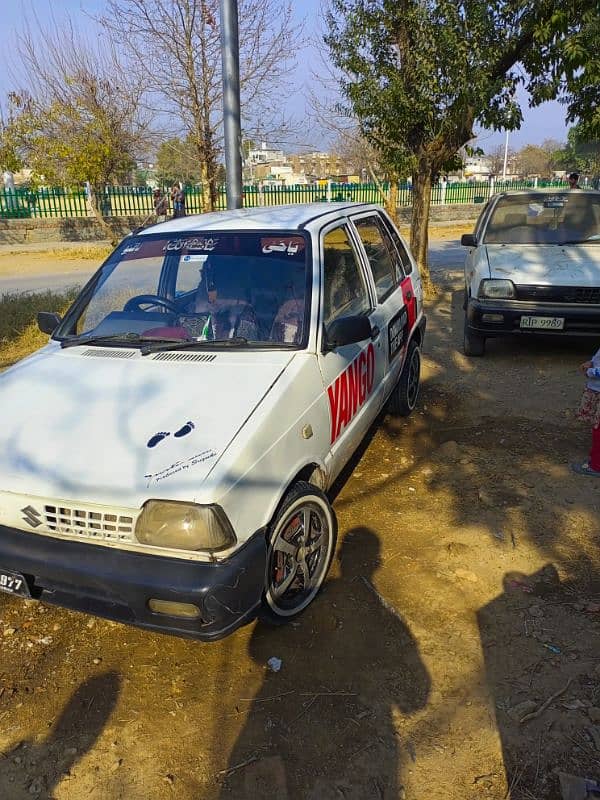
point(352, 374)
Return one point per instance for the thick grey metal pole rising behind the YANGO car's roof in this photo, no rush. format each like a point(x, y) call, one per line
point(230, 60)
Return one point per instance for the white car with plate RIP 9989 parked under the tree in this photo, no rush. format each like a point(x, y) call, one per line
point(533, 266)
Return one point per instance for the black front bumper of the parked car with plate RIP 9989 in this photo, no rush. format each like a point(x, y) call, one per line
point(580, 319)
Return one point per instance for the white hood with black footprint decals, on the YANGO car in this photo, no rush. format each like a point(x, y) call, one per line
point(112, 426)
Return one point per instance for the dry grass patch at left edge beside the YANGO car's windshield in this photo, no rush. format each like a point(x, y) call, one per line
point(19, 333)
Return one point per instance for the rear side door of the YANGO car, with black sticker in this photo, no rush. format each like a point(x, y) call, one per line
point(394, 313)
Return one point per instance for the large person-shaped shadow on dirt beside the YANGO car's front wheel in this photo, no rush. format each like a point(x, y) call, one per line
point(329, 724)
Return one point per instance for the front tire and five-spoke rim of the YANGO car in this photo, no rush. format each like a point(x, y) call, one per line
point(297, 563)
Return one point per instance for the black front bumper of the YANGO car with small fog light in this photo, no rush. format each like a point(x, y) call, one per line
point(117, 584)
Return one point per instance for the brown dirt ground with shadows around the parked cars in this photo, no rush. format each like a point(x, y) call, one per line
point(465, 597)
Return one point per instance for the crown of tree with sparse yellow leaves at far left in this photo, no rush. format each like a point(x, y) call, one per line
point(79, 118)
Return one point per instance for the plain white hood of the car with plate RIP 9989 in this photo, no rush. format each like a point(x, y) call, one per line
point(546, 265)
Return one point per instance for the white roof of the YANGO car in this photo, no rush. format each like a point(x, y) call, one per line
point(288, 217)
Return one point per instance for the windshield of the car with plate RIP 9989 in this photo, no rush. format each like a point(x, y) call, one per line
point(549, 218)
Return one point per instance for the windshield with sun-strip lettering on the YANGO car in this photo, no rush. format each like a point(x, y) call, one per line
point(224, 285)
